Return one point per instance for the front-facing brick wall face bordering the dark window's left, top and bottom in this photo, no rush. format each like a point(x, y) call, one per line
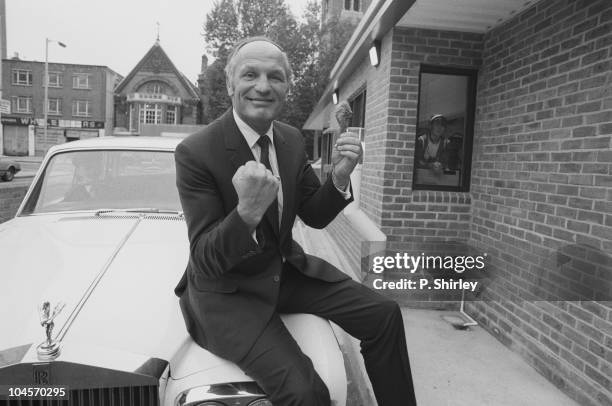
point(407, 215)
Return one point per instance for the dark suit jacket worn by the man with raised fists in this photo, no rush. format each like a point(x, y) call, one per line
point(229, 290)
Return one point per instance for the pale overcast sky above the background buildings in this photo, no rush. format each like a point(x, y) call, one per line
point(113, 33)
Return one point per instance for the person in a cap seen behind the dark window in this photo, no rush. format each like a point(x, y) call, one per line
point(431, 147)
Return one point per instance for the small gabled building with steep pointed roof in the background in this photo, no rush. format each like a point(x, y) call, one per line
point(156, 97)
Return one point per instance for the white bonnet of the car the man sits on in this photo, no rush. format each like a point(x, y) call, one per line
point(115, 274)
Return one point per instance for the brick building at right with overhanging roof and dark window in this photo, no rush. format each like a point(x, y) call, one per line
point(524, 88)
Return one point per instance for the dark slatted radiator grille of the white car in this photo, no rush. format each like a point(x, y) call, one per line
point(127, 396)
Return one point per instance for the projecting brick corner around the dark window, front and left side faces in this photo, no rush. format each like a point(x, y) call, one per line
point(404, 215)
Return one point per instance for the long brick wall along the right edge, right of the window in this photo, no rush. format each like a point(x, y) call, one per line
point(541, 190)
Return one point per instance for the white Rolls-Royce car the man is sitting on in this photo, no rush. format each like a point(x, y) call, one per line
point(89, 265)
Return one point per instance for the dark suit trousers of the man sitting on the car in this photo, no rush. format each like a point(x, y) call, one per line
point(287, 375)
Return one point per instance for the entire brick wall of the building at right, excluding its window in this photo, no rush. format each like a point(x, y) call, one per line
point(540, 203)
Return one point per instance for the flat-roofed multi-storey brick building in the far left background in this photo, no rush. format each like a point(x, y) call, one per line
point(80, 104)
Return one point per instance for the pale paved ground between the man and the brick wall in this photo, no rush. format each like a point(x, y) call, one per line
point(450, 367)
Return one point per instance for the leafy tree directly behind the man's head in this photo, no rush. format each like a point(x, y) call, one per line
point(312, 50)
